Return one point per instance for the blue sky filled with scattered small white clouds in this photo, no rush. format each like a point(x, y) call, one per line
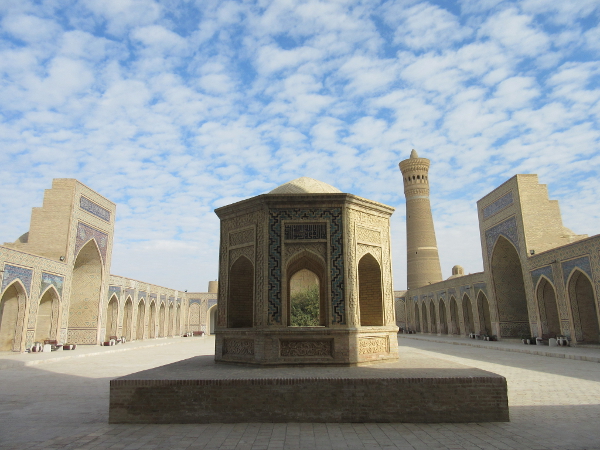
point(174, 108)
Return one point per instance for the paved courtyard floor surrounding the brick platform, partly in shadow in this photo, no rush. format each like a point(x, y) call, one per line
point(62, 403)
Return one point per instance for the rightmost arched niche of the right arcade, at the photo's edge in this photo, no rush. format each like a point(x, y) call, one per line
point(583, 308)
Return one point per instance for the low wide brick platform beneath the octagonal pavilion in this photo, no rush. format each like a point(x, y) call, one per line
point(415, 389)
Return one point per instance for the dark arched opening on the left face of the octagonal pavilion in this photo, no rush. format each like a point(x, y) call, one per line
point(240, 302)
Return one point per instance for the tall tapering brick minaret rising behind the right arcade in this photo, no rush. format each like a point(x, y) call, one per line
point(423, 261)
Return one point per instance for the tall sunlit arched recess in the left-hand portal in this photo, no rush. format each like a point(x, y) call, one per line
point(84, 303)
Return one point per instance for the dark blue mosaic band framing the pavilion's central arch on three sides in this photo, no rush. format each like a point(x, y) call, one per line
point(334, 215)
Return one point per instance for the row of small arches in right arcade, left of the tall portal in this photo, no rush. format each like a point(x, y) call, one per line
point(449, 314)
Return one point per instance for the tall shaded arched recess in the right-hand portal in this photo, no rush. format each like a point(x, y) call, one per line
point(507, 276)
